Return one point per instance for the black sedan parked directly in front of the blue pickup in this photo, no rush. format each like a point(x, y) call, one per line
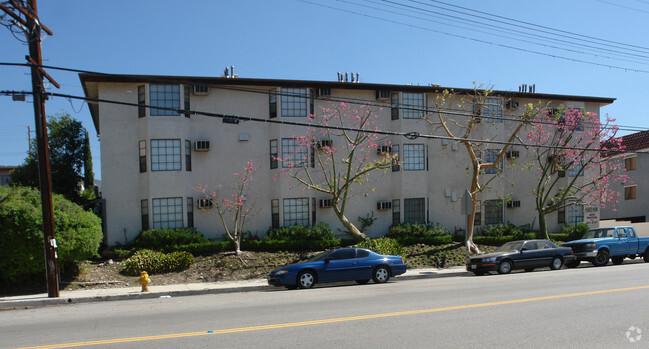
point(523, 254)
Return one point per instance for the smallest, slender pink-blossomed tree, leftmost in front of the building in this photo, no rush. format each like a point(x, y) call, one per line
point(233, 208)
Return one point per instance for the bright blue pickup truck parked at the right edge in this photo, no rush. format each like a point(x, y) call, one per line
point(615, 243)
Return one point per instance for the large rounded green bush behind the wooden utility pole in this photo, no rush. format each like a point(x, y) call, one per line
point(78, 234)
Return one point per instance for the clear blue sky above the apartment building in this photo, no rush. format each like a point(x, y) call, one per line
point(394, 42)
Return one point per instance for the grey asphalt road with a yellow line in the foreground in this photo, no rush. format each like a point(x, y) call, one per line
point(575, 308)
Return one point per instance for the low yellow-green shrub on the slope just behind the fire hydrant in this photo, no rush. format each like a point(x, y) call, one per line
point(154, 262)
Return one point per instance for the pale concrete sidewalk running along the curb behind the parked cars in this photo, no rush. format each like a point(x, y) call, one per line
point(166, 291)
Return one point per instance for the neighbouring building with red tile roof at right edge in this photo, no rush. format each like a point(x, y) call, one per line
point(633, 202)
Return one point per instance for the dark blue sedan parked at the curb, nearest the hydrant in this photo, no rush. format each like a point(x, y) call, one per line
point(345, 264)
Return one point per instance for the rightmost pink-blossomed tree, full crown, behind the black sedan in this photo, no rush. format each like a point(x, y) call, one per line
point(569, 148)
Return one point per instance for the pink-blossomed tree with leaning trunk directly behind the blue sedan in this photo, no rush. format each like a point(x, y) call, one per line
point(343, 151)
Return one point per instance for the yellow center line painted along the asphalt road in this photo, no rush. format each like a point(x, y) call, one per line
point(335, 320)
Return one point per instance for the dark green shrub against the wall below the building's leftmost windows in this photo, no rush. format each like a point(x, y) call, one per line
point(158, 239)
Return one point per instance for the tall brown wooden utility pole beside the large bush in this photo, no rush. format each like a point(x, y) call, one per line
point(32, 27)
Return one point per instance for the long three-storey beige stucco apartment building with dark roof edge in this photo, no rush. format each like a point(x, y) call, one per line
point(154, 159)
